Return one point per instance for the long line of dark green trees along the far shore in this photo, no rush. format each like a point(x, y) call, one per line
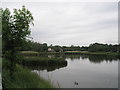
point(95, 47)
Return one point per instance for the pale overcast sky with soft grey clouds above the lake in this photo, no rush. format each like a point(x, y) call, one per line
point(71, 22)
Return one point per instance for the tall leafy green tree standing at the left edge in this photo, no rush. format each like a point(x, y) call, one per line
point(15, 29)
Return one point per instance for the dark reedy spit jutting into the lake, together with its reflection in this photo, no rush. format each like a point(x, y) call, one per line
point(43, 63)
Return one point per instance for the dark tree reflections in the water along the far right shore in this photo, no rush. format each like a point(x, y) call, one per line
point(94, 58)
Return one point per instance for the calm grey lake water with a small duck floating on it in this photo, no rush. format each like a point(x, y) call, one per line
point(84, 72)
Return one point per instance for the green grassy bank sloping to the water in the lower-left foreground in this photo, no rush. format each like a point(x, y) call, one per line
point(24, 78)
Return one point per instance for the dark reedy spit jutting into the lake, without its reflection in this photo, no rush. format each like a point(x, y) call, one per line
point(43, 61)
